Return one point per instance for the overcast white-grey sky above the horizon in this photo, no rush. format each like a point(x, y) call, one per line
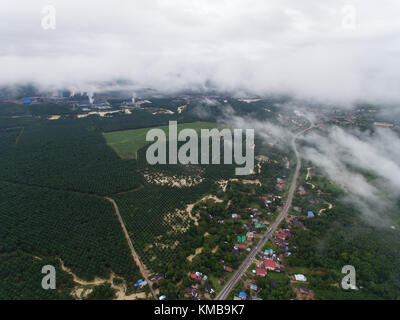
point(308, 48)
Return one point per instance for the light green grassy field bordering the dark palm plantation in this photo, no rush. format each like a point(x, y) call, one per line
point(126, 143)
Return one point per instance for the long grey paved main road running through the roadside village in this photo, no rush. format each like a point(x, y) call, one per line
point(223, 294)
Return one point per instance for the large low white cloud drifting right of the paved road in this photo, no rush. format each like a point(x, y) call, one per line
point(347, 156)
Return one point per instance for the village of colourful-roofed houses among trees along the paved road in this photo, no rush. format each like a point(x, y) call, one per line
point(268, 262)
